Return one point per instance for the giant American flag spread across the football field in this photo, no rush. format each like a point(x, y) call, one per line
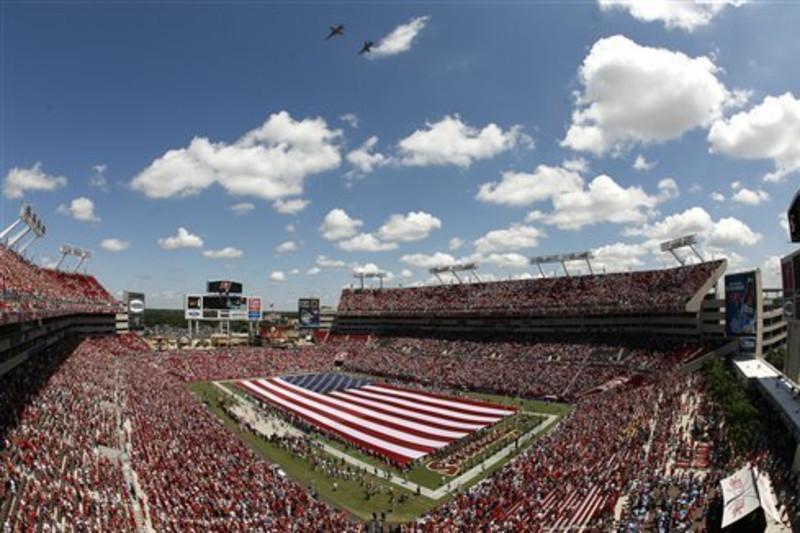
point(400, 424)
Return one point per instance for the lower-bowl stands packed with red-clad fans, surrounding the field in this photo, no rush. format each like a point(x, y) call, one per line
point(645, 453)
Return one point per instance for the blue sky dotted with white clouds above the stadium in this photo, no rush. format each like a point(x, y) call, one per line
point(183, 141)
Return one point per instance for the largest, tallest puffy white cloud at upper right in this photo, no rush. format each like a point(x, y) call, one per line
point(635, 94)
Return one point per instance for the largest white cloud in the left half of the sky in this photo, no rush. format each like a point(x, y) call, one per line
point(271, 161)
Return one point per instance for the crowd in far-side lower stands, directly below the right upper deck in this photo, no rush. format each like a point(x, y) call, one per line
point(553, 370)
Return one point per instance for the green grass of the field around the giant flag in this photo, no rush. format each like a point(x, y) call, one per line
point(350, 495)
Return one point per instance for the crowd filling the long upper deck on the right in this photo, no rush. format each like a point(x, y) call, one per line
point(651, 291)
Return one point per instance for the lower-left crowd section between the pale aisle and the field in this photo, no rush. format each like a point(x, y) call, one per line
point(198, 475)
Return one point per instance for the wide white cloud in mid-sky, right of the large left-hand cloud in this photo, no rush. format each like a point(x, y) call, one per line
point(452, 142)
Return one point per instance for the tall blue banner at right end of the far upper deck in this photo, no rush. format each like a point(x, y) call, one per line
point(742, 305)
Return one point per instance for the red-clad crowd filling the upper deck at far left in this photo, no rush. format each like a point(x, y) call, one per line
point(28, 292)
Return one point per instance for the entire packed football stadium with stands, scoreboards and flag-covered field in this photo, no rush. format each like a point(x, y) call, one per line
point(593, 402)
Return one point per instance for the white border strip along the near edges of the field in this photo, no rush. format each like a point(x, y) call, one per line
point(267, 426)
